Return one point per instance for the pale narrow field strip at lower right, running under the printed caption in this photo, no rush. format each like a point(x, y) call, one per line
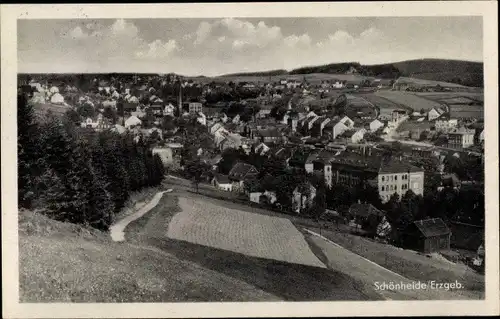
point(374, 275)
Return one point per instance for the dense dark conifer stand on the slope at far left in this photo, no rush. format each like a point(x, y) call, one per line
point(77, 175)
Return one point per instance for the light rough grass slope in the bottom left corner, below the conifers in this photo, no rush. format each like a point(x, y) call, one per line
point(62, 262)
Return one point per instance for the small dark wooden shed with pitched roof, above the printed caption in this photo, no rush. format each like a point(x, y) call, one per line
point(427, 236)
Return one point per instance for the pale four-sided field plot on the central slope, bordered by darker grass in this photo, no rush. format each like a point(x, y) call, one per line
point(251, 234)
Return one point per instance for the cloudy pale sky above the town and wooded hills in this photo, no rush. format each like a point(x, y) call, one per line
point(228, 45)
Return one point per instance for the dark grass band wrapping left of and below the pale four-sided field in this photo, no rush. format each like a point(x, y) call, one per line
point(287, 281)
